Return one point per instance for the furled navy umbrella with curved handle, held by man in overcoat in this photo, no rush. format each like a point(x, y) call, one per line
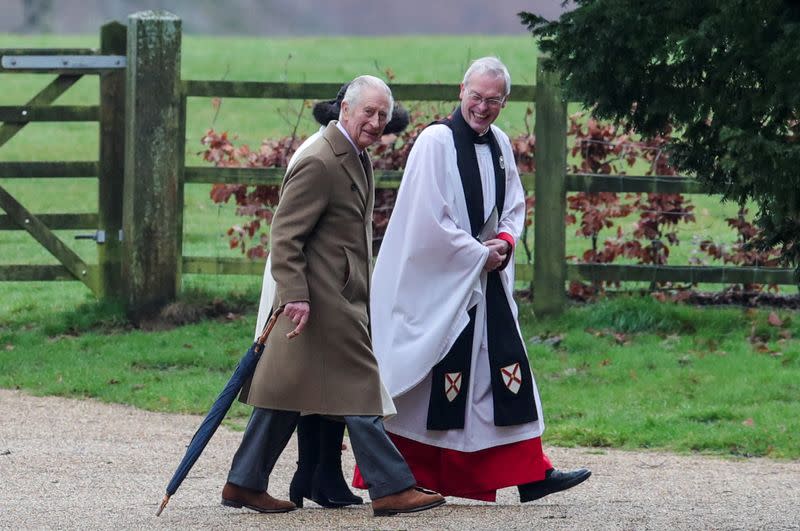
point(218, 410)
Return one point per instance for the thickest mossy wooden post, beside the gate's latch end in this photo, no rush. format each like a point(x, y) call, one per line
point(153, 155)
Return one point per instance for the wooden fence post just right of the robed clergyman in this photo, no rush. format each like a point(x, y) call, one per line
point(549, 254)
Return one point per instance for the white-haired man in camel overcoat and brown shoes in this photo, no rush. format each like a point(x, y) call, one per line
point(321, 361)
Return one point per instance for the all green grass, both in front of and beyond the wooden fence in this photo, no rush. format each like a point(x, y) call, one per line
point(626, 373)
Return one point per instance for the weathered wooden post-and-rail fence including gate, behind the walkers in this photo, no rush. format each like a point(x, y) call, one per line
point(141, 185)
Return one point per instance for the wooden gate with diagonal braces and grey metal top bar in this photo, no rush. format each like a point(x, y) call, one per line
point(69, 65)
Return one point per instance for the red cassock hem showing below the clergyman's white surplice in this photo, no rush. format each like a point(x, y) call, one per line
point(474, 475)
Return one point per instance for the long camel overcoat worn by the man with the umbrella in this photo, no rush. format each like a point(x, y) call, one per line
point(321, 240)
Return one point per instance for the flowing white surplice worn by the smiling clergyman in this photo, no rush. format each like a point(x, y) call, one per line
point(428, 274)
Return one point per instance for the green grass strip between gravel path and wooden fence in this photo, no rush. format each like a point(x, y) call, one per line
point(623, 373)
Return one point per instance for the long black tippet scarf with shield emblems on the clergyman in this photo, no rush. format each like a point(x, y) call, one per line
point(506, 352)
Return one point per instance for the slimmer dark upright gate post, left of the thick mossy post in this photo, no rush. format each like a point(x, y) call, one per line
point(113, 41)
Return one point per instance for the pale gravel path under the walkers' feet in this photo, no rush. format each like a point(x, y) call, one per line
point(80, 464)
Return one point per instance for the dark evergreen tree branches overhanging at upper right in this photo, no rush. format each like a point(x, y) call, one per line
point(725, 73)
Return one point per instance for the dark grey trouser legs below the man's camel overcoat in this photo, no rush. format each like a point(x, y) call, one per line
point(269, 430)
